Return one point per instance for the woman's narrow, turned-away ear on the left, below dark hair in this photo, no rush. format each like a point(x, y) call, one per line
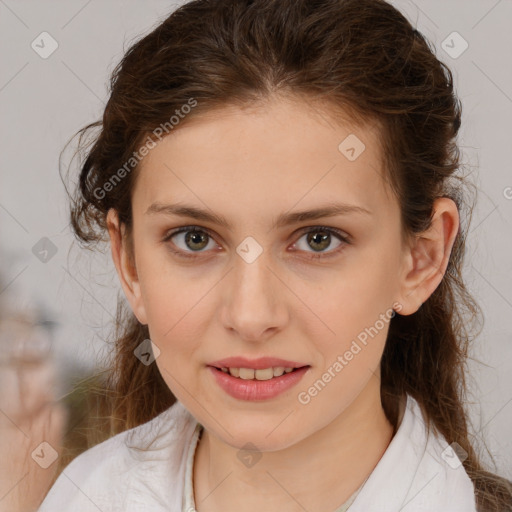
point(125, 267)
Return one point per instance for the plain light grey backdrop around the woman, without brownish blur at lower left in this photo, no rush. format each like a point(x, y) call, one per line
point(44, 101)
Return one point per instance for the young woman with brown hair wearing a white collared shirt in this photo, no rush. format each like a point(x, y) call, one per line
point(278, 182)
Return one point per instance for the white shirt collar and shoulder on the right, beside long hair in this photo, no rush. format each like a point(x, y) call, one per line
point(418, 472)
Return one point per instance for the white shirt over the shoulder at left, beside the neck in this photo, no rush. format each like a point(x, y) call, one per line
point(136, 468)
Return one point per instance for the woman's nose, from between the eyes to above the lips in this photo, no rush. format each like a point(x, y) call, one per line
point(255, 303)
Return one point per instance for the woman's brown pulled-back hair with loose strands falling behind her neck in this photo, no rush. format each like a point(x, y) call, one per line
point(358, 56)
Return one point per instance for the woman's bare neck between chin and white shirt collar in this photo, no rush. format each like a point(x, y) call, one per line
point(319, 473)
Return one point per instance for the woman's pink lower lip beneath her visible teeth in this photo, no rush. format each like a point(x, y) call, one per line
point(257, 389)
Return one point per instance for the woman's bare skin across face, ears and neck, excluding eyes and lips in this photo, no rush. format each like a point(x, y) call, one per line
point(250, 165)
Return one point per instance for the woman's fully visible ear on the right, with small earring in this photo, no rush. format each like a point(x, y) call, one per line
point(427, 258)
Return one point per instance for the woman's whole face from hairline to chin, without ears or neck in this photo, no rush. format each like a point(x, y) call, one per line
point(257, 285)
